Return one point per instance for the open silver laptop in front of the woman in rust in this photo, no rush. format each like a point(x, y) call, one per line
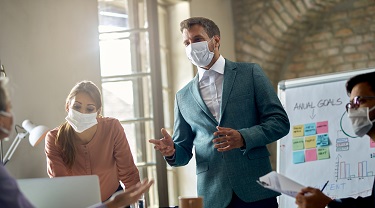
point(62, 192)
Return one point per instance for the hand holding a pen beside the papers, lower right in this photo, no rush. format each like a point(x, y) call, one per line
point(312, 198)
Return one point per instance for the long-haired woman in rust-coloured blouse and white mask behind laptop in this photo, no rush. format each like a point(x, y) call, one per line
point(90, 144)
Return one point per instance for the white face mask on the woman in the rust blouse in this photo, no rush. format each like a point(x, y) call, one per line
point(80, 121)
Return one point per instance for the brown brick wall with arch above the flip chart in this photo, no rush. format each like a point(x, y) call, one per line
point(297, 38)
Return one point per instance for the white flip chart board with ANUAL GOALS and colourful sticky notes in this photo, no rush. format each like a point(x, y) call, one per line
point(321, 144)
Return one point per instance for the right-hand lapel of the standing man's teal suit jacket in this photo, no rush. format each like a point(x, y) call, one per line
point(229, 78)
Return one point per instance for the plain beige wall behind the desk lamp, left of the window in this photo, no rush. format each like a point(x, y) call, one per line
point(45, 47)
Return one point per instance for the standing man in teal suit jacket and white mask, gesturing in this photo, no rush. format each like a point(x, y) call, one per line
point(229, 112)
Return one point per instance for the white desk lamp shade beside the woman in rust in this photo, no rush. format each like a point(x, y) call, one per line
point(36, 133)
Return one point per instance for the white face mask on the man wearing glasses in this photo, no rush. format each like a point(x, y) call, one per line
point(361, 120)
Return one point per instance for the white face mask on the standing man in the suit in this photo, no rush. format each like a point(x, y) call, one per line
point(199, 54)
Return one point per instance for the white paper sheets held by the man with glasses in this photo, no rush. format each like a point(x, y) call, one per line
point(280, 183)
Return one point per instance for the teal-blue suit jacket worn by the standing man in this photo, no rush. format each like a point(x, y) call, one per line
point(249, 105)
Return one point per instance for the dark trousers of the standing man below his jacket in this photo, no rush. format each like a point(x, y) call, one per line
point(265, 203)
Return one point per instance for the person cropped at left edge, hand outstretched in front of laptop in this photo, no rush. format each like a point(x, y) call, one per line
point(11, 196)
